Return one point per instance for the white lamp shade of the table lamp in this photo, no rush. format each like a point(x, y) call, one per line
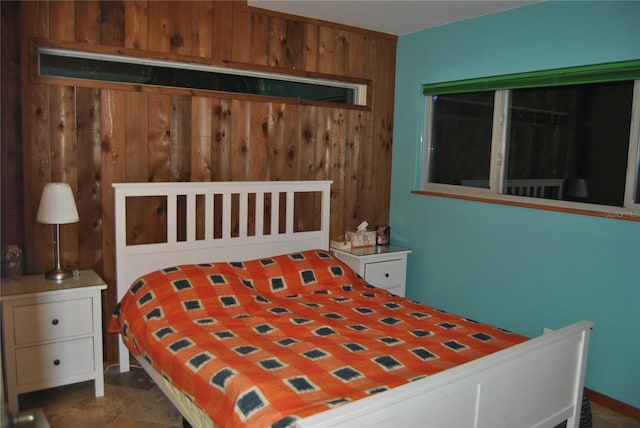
point(57, 205)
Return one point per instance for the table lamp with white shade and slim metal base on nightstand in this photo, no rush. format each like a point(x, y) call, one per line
point(57, 207)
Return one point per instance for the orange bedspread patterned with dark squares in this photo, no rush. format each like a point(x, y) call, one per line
point(265, 342)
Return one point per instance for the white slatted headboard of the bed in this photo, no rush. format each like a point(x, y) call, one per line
point(133, 261)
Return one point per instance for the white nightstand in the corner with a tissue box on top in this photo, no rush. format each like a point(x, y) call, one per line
point(383, 266)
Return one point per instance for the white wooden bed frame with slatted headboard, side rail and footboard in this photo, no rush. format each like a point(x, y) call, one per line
point(537, 383)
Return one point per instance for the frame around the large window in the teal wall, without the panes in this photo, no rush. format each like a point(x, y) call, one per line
point(500, 131)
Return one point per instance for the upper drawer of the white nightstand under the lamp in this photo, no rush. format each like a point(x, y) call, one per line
point(53, 320)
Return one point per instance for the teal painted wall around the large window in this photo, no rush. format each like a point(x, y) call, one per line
point(522, 269)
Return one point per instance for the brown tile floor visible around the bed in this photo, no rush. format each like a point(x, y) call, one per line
point(133, 401)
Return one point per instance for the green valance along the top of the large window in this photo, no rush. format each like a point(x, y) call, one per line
point(609, 72)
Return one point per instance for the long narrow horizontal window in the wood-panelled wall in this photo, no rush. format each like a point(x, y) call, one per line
point(67, 63)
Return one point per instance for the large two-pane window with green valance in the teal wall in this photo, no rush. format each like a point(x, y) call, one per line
point(566, 138)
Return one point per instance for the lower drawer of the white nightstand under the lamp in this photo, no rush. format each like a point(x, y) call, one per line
point(58, 360)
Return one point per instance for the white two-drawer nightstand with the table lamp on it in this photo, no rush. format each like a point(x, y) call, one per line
point(52, 333)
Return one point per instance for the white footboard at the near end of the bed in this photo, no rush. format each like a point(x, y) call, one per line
point(538, 383)
